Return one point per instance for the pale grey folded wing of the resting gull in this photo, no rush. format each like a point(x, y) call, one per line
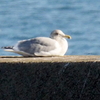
point(36, 45)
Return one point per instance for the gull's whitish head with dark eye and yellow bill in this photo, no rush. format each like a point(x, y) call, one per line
point(56, 34)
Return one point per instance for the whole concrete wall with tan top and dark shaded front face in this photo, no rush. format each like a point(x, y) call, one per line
point(50, 78)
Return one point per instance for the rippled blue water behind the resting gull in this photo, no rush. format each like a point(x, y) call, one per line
point(24, 19)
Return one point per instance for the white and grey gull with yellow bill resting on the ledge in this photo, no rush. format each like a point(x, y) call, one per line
point(55, 45)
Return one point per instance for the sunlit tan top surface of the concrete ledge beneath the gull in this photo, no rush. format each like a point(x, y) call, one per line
point(50, 59)
